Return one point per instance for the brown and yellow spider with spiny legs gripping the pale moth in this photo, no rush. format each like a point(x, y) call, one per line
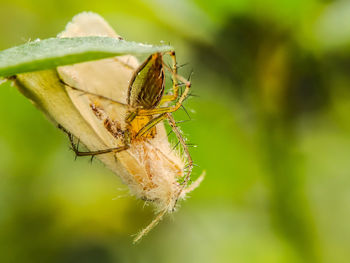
point(145, 95)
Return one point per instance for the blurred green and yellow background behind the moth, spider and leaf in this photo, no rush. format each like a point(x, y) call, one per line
point(272, 122)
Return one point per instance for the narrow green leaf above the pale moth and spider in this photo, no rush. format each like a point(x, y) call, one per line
point(54, 52)
